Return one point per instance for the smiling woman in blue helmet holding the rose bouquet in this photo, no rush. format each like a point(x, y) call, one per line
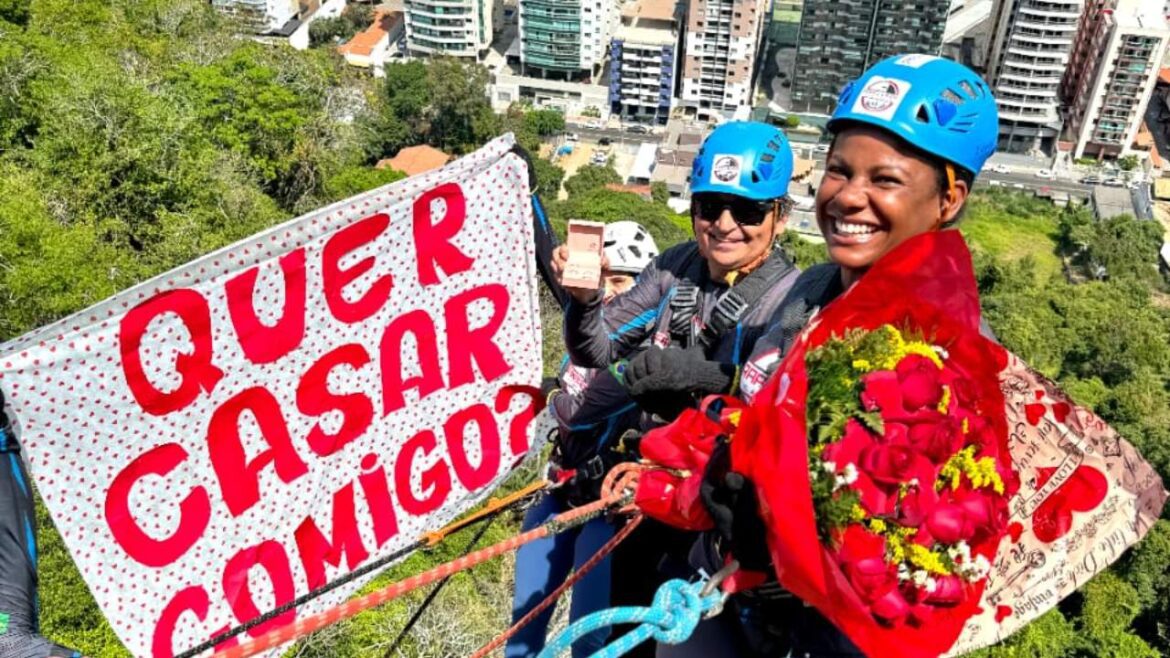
point(910, 138)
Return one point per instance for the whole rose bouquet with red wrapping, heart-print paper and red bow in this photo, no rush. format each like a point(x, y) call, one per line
point(921, 486)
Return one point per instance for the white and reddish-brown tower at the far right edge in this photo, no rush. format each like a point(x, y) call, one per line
point(1119, 54)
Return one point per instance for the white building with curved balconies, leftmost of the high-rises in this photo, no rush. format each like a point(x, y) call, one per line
point(460, 29)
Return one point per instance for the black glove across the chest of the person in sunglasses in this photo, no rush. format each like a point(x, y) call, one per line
point(678, 372)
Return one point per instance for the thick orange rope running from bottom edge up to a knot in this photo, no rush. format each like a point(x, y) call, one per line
point(616, 490)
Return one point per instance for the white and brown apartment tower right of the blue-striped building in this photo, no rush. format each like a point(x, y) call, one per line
point(721, 57)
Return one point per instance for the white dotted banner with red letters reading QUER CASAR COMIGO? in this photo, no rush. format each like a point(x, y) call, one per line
point(238, 433)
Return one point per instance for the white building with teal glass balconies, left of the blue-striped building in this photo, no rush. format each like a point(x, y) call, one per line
point(566, 39)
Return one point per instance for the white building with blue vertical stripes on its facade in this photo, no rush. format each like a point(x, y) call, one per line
point(644, 60)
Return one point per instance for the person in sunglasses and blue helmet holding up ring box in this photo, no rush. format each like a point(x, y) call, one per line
point(700, 305)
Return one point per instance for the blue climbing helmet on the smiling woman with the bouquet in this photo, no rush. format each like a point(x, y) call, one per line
point(935, 105)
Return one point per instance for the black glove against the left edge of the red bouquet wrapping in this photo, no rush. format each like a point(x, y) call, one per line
point(731, 499)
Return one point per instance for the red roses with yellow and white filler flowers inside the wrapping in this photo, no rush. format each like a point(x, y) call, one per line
point(910, 477)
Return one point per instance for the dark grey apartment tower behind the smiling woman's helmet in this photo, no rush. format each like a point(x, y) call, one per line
point(839, 39)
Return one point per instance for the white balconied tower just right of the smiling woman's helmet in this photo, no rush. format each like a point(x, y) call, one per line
point(1031, 49)
